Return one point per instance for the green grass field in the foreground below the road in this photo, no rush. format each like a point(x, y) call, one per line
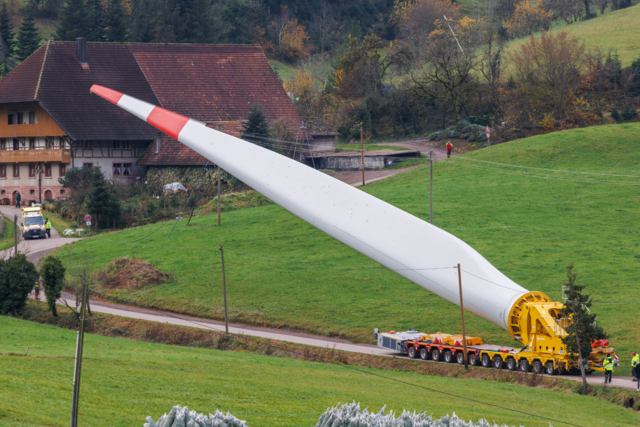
point(124, 381)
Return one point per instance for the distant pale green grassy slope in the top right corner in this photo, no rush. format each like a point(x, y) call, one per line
point(617, 30)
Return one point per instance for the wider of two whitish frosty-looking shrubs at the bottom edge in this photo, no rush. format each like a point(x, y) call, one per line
point(351, 415)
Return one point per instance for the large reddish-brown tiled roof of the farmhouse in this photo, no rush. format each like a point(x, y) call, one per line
point(206, 82)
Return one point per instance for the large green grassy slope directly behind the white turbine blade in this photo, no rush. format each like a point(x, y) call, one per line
point(529, 223)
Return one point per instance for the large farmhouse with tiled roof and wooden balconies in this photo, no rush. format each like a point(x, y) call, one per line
point(49, 121)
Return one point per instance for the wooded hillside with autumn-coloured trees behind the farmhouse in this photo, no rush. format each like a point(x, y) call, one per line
point(392, 67)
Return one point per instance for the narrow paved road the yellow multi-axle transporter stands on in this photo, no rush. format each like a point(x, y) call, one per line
point(287, 336)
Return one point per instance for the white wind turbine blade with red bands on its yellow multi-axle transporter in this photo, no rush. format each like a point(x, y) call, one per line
point(413, 248)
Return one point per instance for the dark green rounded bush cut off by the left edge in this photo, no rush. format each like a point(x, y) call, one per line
point(17, 279)
